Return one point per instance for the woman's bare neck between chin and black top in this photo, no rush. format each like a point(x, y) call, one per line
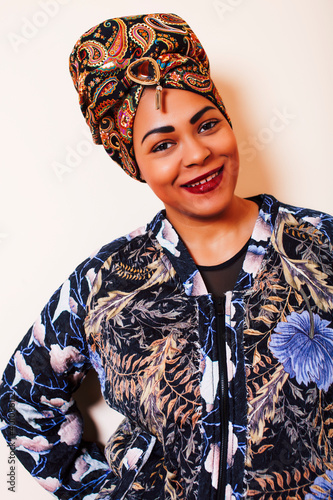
point(215, 240)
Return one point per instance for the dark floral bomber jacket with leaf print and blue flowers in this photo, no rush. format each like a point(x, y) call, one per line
point(138, 313)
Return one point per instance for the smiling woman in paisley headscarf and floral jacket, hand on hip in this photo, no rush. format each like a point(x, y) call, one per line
point(210, 328)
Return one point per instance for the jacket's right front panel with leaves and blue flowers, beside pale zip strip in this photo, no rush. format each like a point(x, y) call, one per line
point(288, 341)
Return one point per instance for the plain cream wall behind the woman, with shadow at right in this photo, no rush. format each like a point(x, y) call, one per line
point(272, 61)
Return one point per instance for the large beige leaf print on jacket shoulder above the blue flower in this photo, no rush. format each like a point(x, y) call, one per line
point(304, 271)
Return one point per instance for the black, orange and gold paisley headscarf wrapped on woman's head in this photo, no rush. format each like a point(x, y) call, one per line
point(107, 94)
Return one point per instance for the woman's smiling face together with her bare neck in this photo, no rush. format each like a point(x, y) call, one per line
point(187, 153)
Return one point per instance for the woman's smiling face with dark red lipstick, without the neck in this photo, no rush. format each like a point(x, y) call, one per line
point(187, 153)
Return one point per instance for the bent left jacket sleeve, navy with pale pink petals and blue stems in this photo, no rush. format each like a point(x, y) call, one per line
point(40, 418)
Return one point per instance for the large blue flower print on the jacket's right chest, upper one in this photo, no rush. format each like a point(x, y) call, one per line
point(307, 357)
